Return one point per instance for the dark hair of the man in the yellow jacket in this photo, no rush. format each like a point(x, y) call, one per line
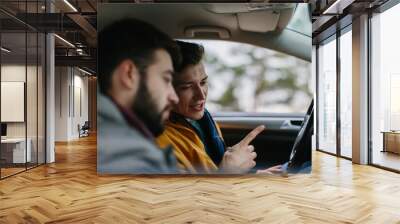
point(191, 54)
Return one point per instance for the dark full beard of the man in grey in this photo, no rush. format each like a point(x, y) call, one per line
point(146, 109)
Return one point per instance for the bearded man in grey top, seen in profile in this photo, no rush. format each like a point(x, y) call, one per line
point(136, 62)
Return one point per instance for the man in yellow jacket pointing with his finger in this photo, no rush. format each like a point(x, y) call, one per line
point(195, 137)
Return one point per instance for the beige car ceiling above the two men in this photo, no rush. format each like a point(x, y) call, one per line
point(260, 24)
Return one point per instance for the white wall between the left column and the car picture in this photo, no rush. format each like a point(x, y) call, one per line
point(71, 94)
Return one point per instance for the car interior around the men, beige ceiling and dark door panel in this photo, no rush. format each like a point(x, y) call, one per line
point(284, 28)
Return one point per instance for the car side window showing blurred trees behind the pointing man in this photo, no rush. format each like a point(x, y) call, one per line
point(247, 78)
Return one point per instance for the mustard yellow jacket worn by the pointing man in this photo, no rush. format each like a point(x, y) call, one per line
point(188, 148)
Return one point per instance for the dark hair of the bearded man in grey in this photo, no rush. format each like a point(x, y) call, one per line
point(131, 39)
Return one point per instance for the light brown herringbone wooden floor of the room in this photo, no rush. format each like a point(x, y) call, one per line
point(70, 191)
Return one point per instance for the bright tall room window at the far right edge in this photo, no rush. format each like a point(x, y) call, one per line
point(385, 89)
